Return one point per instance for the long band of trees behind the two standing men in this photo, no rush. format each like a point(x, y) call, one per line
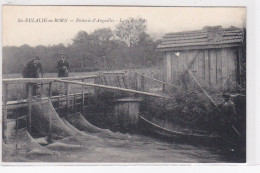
point(102, 49)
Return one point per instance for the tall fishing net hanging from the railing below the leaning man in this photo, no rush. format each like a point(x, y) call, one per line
point(43, 114)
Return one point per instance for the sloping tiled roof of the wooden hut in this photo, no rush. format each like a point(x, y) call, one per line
point(209, 37)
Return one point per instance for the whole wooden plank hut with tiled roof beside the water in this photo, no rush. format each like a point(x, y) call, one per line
point(216, 56)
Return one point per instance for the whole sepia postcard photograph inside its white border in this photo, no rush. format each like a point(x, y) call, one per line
point(124, 84)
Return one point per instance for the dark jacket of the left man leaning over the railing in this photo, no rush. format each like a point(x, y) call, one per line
point(32, 70)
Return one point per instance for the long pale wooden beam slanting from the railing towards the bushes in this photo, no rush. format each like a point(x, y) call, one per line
point(114, 88)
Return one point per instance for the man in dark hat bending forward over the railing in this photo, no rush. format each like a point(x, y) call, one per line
point(33, 69)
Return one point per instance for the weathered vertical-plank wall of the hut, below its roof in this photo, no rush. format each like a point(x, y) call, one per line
point(211, 67)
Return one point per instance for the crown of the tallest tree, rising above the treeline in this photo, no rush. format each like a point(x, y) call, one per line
point(130, 30)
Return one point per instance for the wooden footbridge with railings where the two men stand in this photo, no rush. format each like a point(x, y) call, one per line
point(76, 101)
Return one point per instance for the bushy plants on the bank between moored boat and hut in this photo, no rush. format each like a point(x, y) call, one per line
point(188, 108)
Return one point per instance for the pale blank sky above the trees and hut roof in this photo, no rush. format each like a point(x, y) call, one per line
point(17, 30)
